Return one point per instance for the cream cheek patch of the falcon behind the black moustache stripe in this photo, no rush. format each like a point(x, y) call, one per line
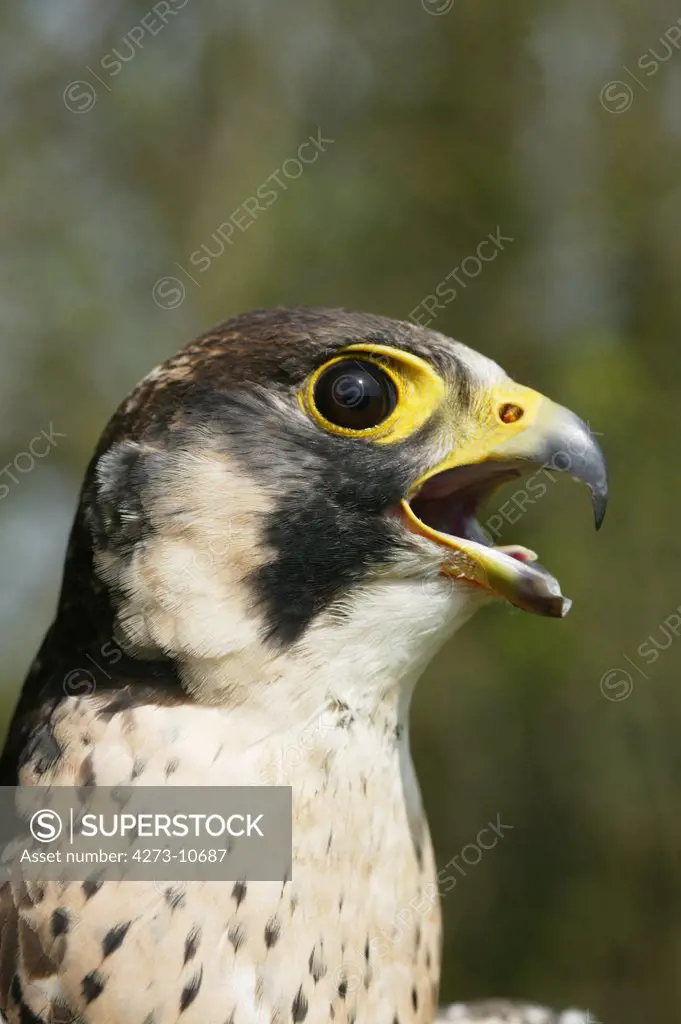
point(182, 591)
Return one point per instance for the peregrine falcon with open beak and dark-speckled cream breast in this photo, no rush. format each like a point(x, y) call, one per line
point(277, 532)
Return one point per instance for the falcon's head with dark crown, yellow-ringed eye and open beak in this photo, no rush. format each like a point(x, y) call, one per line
point(299, 492)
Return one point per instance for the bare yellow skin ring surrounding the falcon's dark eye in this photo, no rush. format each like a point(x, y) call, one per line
point(420, 391)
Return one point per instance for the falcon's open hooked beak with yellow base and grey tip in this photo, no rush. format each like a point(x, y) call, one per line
point(518, 432)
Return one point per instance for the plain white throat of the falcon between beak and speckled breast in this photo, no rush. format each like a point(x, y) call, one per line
point(365, 655)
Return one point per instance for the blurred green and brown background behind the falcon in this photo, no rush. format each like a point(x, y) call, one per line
point(131, 134)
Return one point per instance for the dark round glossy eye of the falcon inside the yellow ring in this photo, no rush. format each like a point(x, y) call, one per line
point(355, 395)
